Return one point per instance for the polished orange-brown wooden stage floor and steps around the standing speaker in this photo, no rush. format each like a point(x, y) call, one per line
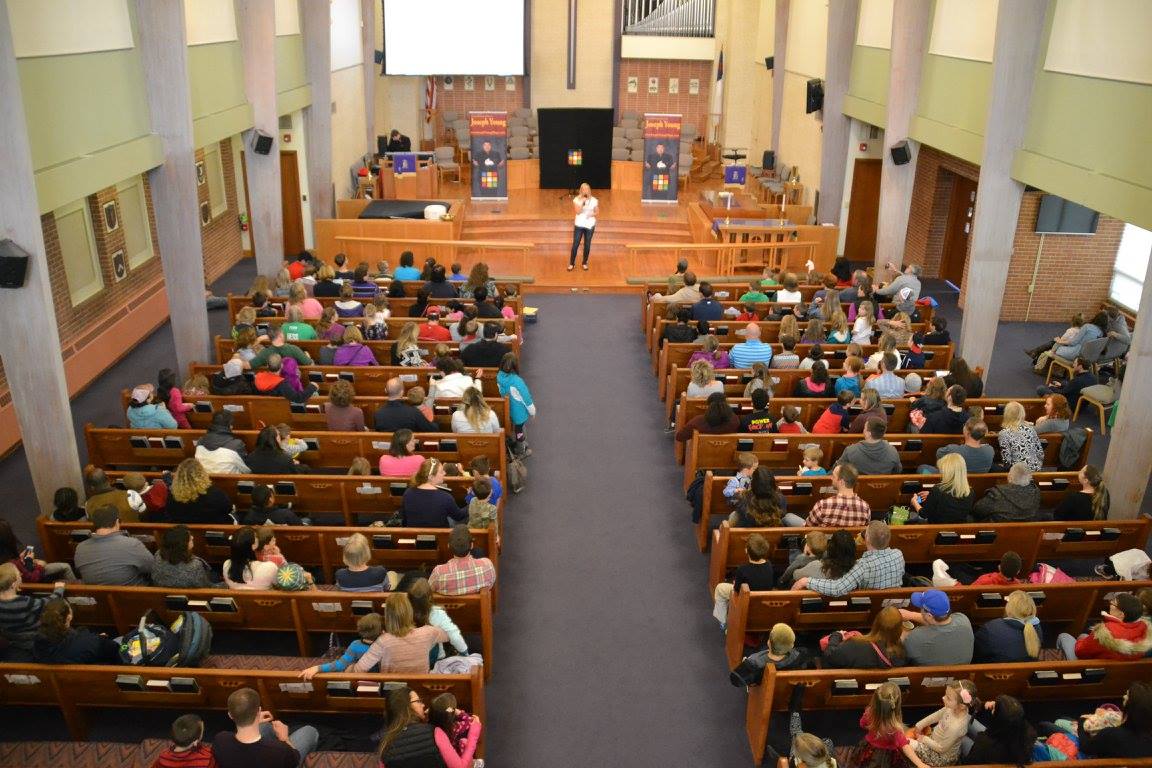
point(545, 219)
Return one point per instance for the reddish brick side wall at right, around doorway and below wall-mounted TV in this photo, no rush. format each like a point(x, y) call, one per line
point(1085, 262)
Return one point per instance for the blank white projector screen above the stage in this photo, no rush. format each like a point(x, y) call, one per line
point(454, 37)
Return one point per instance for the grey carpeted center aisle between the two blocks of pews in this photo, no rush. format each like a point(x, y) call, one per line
point(607, 649)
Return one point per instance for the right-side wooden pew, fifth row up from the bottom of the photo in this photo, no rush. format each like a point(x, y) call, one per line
point(710, 452)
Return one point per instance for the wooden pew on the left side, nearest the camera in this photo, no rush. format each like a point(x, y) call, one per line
point(75, 689)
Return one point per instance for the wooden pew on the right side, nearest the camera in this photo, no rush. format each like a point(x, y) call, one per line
point(852, 690)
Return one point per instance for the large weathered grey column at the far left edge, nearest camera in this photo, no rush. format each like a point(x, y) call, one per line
point(33, 362)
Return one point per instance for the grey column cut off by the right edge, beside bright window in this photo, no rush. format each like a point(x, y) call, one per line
point(1130, 462)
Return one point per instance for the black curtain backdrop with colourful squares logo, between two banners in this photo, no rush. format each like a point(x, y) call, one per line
point(587, 131)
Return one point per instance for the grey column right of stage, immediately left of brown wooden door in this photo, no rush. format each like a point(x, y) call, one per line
point(837, 125)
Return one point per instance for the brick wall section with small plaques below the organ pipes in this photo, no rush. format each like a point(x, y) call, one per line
point(694, 109)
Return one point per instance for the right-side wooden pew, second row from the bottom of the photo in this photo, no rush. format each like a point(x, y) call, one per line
point(1062, 607)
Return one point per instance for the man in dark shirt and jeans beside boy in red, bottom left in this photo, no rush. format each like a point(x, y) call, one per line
point(261, 741)
